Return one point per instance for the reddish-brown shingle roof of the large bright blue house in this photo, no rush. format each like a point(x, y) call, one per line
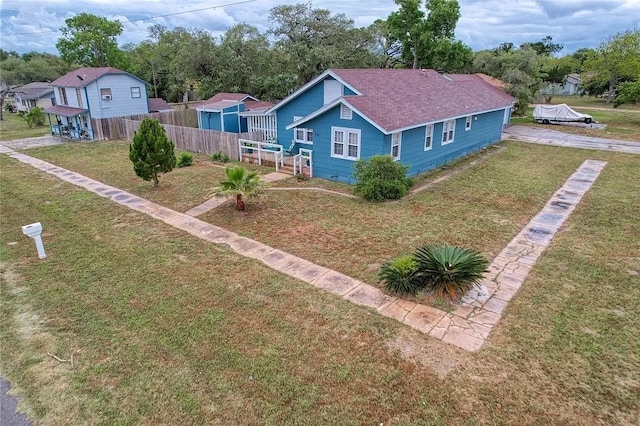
point(397, 99)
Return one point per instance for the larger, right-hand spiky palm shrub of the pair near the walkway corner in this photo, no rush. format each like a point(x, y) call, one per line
point(449, 269)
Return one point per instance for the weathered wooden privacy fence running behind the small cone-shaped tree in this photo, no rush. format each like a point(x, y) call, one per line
point(190, 139)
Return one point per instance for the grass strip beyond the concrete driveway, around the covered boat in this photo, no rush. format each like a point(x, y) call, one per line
point(623, 125)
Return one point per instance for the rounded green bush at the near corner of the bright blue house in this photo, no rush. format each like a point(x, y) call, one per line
point(380, 178)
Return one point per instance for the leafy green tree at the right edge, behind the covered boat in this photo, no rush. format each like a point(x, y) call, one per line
point(616, 60)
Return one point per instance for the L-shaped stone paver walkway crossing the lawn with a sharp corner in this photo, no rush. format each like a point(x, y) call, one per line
point(467, 327)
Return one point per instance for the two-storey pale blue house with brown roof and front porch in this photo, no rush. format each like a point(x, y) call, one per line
point(94, 93)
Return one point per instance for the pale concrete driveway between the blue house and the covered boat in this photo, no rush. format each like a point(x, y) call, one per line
point(553, 137)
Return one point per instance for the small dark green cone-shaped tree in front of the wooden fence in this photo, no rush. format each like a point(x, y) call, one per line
point(151, 151)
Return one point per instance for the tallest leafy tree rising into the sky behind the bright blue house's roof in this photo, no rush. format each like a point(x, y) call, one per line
point(427, 39)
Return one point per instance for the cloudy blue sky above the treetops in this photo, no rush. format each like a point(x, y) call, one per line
point(33, 24)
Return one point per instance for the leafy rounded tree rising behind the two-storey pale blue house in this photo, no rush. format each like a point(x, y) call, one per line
point(91, 41)
